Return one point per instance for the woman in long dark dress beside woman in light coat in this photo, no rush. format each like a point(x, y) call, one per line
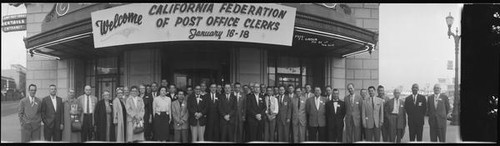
point(103, 114)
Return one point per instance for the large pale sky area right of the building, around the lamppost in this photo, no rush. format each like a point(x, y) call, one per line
point(414, 45)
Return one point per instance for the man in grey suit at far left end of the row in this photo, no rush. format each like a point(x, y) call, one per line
point(30, 116)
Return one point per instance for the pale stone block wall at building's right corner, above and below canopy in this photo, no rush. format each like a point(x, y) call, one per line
point(363, 69)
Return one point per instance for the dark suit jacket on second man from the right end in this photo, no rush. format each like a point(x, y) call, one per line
point(416, 112)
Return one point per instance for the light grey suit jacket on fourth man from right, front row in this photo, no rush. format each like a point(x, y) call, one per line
point(372, 112)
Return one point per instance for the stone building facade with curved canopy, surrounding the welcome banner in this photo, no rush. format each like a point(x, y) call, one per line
point(61, 52)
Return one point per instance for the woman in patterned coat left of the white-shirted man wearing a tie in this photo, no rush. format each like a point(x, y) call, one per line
point(72, 111)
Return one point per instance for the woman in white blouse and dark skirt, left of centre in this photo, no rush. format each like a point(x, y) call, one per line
point(162, 115)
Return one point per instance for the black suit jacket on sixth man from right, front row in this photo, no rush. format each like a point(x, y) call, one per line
point(335, 118)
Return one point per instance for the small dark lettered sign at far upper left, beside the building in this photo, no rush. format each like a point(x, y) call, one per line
point(16, 22)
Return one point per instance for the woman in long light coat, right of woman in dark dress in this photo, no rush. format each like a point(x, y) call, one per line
point(120, 116)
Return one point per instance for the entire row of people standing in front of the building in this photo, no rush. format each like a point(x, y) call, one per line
point(232, 113)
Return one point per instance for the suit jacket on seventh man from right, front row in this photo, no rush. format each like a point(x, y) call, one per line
point(316, 118)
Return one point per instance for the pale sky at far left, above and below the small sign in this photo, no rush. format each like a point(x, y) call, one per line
point(13, 49)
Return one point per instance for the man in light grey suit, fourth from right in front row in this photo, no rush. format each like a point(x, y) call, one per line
point(373, 115)
